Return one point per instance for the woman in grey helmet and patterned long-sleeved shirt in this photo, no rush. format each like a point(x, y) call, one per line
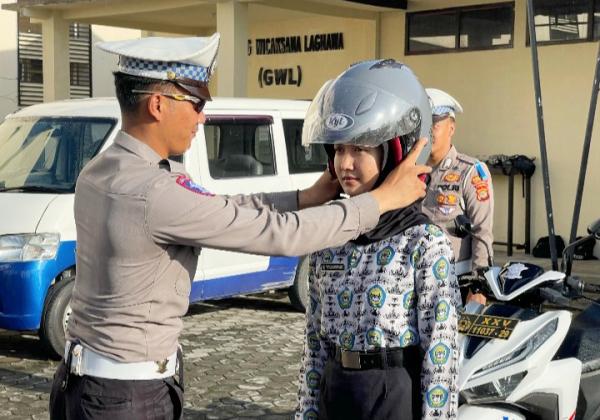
point(381, 338)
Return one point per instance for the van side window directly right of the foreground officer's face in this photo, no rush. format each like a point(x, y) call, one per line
point(239, 146)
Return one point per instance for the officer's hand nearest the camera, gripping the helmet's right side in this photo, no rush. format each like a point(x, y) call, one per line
point(402, 187)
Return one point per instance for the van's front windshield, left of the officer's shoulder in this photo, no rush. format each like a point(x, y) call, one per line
point(47, 154)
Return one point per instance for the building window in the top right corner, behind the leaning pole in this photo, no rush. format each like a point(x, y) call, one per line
point(559, 21)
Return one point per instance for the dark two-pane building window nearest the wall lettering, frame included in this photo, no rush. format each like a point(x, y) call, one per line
point(460, 29)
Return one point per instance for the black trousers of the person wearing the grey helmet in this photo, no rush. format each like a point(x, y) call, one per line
point(392, 393)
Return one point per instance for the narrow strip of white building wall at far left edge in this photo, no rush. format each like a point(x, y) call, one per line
point(8, 61)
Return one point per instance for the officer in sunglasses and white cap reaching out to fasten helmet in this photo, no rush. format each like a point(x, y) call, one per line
point(141, 222)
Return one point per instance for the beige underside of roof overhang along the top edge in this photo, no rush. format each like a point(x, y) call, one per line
point(195, 16)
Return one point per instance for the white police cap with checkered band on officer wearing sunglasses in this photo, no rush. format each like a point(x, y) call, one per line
point(187, 62)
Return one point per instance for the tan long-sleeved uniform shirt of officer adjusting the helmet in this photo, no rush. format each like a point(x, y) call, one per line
point(140, 225)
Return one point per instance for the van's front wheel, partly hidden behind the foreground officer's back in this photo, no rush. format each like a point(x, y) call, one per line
point(55, 318)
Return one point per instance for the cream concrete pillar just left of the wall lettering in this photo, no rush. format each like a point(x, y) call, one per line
point(232, 64)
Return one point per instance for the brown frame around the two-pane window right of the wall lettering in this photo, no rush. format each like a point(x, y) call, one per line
point(457, 11)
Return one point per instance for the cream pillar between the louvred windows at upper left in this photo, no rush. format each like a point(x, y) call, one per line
point(55, 43)
